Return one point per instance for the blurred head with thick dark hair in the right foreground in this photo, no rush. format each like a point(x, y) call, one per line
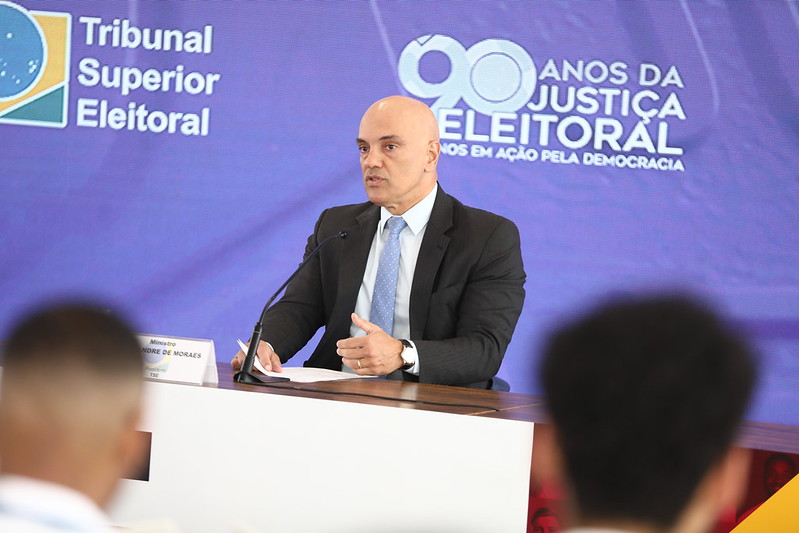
point(646, 396)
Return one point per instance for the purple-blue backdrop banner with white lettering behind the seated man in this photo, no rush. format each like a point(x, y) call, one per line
point(171, 157)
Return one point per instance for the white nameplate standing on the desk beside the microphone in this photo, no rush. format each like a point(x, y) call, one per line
point(179, 359)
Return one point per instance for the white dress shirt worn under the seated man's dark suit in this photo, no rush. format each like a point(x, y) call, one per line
point(411, 237)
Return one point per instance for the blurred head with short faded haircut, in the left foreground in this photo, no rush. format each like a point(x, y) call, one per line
point(70, 400)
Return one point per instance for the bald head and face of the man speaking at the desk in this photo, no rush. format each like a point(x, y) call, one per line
point(397, 156)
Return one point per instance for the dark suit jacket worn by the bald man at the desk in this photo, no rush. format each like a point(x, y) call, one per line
point(466, 296)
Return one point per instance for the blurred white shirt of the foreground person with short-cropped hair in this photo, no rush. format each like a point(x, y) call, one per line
point(34, 506)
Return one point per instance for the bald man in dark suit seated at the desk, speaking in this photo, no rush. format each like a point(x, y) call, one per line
point(459, 284)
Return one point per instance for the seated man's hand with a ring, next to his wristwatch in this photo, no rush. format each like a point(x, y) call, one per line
point(375, 354)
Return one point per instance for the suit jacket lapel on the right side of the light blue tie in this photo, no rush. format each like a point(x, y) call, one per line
point(434, 245)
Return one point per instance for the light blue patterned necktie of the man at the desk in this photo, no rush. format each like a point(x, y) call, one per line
point(385, 290)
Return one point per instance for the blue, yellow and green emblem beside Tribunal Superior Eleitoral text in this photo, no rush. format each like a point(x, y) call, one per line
point(34, 66)
